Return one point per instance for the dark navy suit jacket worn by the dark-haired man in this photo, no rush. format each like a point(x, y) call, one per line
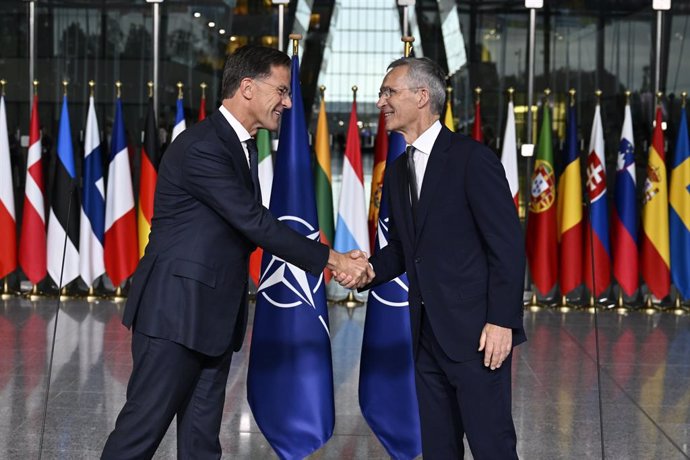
point(191, 285)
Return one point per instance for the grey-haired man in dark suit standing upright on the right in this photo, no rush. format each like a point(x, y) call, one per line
point(454, 229)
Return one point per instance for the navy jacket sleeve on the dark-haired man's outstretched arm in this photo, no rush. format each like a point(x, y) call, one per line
point(211, 176)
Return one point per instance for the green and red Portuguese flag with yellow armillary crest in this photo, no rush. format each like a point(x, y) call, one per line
point(542, 241)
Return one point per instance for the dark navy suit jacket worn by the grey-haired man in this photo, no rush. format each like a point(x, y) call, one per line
point(463, 251)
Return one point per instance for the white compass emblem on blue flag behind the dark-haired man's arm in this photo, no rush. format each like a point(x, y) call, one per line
point(298, 288)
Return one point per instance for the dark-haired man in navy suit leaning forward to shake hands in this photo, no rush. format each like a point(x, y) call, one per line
point(188, 300)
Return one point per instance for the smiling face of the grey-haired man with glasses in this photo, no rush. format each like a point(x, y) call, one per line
point(399, 102)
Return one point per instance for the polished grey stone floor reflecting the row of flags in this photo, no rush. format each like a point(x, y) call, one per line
point(645, 385)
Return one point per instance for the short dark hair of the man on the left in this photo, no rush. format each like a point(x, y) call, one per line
point(250, 62)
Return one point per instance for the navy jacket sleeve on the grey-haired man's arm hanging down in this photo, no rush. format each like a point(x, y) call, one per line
point(494, 213)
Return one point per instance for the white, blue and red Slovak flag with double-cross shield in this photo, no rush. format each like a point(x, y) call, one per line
point(597, 255)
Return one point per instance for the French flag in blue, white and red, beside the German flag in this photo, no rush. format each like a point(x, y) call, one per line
point(121, 256)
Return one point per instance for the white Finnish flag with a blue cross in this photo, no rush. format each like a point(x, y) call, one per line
point(92, 223)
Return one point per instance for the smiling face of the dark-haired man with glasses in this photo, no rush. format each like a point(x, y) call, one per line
point(270, 96)
